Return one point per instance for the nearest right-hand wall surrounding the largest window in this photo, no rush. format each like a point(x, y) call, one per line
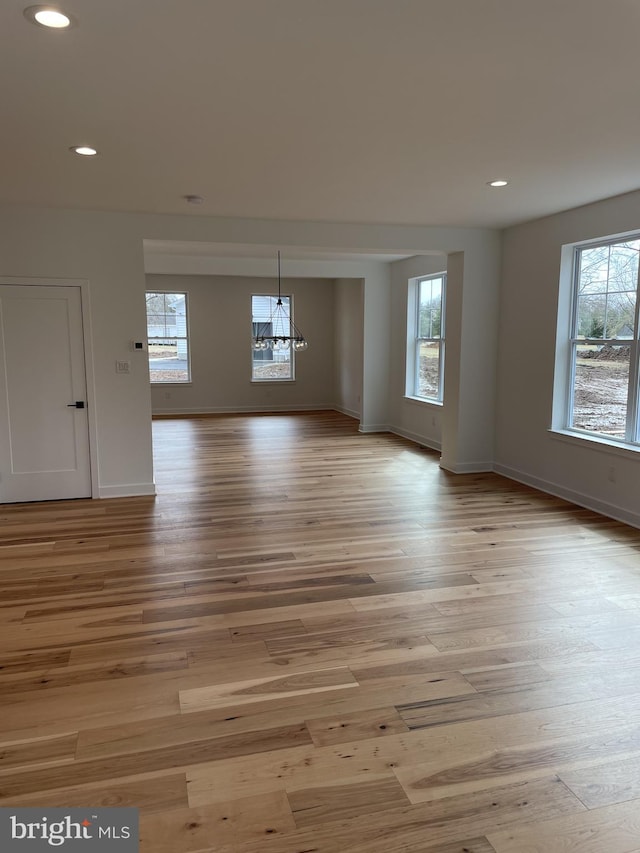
point(525, 449)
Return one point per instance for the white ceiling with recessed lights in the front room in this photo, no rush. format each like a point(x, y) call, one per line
point(372, 111)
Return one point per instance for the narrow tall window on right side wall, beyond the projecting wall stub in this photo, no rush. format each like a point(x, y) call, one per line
point(425, 337)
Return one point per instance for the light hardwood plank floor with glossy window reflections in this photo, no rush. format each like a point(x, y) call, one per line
point(316, 641)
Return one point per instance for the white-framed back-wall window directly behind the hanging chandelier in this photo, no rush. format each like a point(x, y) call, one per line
point(275, 363)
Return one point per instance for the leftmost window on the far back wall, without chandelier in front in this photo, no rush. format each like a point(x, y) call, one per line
point(167, 337)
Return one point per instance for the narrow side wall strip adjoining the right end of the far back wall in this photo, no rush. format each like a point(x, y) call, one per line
point(349, 345)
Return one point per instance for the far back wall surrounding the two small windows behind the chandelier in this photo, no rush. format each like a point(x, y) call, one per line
point(220, 338)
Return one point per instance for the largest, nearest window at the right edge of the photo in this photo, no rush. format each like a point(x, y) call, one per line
point(602, 397)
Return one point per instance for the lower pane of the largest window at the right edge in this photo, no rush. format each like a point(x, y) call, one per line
point(600, 389)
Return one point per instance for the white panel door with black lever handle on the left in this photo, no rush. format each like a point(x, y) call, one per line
point(44, 436)
